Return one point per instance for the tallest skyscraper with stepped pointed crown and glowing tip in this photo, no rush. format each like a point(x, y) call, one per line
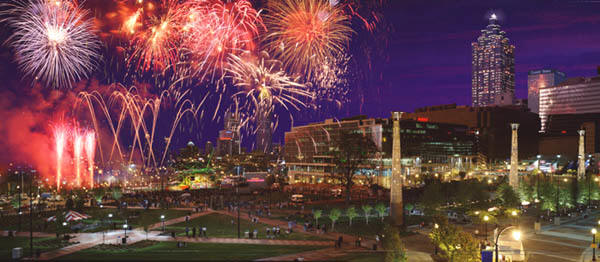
point(493, 79)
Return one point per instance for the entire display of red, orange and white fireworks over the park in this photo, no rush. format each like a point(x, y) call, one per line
point(260, 58)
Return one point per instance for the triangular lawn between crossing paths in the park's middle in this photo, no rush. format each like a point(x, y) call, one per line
point(219, 225)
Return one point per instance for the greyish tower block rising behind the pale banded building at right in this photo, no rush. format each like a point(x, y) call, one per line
point(537, 79)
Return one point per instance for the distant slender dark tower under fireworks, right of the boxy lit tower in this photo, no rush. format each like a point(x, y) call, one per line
point(263, 126)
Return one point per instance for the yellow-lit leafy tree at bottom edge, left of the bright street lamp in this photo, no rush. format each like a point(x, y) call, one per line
point(456, 245)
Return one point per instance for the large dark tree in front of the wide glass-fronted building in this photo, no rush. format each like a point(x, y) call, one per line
point(350, 150)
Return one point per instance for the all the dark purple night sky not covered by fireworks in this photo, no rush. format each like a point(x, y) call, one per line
point(427, 60)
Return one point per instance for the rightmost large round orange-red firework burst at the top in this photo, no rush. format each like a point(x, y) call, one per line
point(303, 33)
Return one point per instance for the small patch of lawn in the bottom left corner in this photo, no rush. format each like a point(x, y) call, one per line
point(44, 244)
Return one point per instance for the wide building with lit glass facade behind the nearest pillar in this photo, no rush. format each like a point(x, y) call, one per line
point(426, 148)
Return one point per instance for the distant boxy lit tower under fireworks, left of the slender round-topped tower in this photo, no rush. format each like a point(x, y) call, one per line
point(229, 138)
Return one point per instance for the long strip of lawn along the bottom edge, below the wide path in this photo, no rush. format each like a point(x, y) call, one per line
point(168, 251)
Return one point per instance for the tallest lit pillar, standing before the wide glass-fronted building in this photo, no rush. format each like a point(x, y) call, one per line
point(396, 207)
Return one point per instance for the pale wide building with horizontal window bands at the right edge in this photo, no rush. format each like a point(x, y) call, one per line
point(578, 95)
